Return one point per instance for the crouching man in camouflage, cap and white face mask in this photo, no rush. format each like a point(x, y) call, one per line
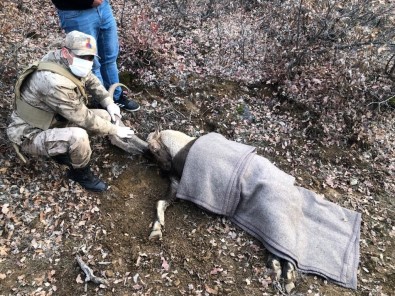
point(50, 116)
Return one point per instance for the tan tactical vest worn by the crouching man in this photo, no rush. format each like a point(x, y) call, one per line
point(34, 116)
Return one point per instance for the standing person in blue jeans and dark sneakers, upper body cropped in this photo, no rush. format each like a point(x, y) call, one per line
point(95, 17)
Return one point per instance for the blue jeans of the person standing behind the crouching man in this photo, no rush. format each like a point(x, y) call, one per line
point(100, 23)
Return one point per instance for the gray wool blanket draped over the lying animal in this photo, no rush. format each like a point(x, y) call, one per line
point(294, 223)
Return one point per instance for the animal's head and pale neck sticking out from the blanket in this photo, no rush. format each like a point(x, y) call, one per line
point(165, 145)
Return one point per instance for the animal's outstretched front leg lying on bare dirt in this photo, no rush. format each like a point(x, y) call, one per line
point(161, 206)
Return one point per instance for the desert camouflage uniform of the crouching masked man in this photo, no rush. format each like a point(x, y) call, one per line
point(53, 92)
